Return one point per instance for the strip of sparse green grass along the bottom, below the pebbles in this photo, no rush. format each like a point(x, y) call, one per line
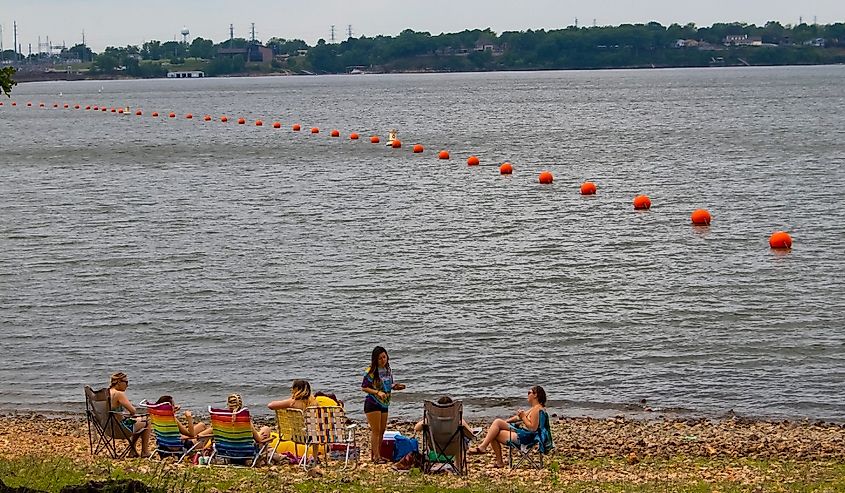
point(681, 475)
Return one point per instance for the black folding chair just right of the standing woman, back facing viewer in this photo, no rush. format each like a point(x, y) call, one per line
point(444, 437)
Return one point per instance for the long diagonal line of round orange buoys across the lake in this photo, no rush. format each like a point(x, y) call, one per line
point(779, 240)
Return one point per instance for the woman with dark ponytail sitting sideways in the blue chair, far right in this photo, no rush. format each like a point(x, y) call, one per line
point(520, 429)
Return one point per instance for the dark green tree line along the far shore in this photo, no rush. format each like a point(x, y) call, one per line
point(626, 45)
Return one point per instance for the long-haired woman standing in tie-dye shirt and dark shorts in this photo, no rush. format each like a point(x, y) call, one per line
point(378, 384)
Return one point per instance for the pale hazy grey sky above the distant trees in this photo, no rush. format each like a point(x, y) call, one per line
point(118, 22)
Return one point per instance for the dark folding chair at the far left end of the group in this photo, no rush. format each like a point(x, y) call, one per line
point(105, 430)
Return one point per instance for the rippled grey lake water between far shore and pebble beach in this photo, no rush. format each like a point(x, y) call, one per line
point(204, 258)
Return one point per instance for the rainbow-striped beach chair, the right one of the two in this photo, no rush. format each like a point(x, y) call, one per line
point(233, 439)
